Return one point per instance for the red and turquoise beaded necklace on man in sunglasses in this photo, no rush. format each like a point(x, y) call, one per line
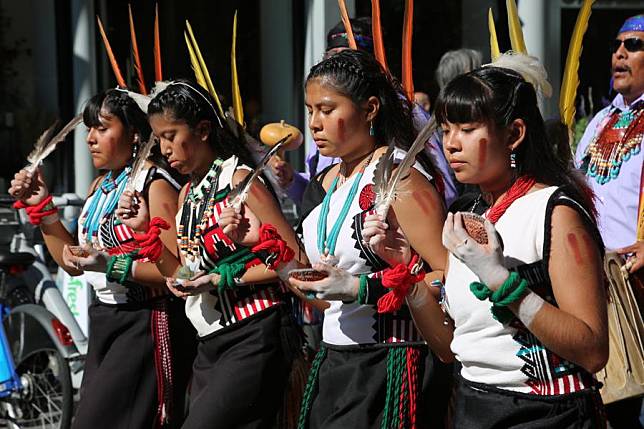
point(619, 139)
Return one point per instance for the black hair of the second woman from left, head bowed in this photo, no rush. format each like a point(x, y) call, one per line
point(187, 101)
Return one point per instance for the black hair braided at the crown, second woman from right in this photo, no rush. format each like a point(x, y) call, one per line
point(358, 76)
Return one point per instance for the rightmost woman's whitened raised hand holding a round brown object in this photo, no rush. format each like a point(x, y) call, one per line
point(486, 261)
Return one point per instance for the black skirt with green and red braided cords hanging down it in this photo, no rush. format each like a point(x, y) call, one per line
point(352, 384)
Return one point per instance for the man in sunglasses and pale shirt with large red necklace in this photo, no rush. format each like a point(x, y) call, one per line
point(610, 154)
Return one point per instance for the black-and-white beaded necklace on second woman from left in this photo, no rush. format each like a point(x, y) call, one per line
point(197, 208)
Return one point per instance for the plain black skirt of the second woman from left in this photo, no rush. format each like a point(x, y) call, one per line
point(241, 372)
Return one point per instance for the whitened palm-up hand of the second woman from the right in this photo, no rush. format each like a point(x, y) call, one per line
point(339, 285)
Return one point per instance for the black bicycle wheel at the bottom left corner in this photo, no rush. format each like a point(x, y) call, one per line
point(46, 400)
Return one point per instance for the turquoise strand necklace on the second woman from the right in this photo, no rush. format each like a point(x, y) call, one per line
point(326, 244)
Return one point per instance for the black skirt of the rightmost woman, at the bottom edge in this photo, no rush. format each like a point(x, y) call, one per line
point(479, 406)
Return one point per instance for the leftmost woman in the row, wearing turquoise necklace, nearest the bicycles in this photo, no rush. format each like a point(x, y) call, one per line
point(134, 322)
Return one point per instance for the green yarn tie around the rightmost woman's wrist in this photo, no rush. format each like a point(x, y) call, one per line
point(509, 292)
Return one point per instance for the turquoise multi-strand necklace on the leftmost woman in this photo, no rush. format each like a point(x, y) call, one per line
point(103, 203)
